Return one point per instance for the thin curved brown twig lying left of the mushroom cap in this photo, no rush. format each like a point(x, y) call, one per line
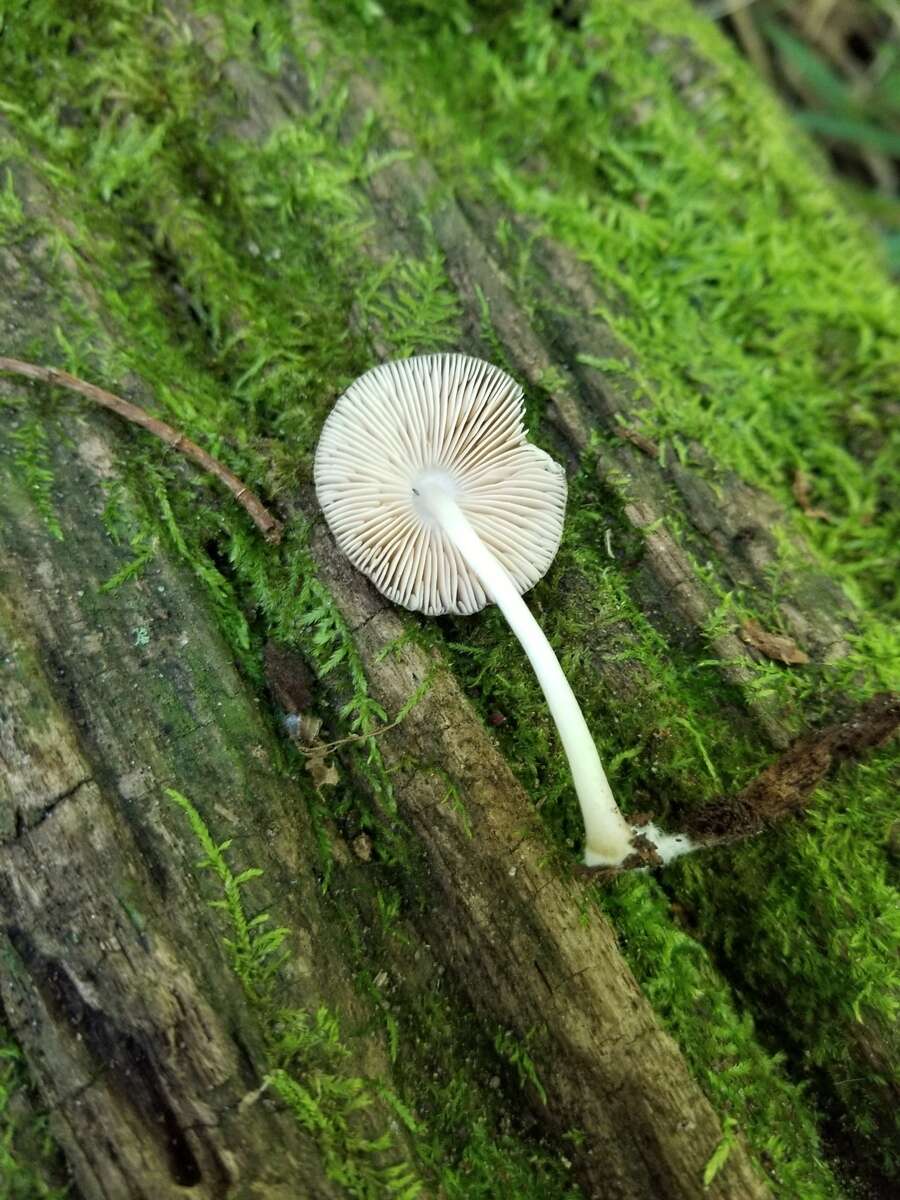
point(260, 515)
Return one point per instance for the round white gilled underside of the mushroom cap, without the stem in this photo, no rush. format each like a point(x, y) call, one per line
point(448, 419)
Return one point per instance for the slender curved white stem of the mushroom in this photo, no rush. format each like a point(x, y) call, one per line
point(608, 836)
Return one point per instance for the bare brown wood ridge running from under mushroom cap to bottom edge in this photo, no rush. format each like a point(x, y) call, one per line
point(509, 929)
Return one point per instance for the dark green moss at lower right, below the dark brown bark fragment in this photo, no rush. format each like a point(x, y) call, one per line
point(830, 998)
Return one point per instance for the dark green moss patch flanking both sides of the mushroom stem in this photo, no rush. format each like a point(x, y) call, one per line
point(656, 709)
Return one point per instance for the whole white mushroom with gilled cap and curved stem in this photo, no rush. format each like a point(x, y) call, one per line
point(431, 489)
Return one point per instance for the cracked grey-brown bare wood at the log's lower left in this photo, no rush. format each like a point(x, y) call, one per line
point(116, 981)
